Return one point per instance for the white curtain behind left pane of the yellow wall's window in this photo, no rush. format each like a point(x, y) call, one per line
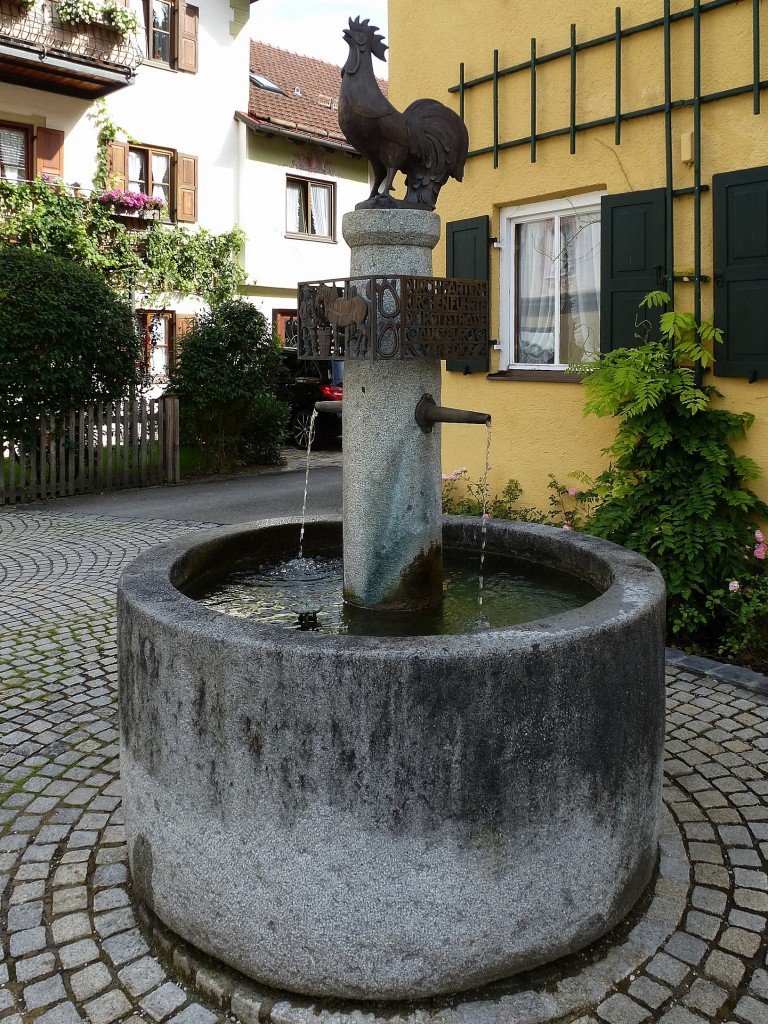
point(536, 292)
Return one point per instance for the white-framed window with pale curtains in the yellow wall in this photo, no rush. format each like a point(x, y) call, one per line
point(551, 284)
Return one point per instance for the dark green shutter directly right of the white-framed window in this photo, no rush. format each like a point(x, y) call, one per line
point(632, 264)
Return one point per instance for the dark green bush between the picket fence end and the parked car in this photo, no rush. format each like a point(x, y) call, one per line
point(226, 380)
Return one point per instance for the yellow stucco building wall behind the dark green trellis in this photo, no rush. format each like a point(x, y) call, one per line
point(539, 428)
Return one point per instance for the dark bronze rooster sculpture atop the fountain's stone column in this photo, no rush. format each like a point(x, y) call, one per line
point(429, 142)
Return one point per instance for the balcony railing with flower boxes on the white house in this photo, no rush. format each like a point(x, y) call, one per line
point(44, 35)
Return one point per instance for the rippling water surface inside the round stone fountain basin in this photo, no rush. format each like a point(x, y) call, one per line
point(277, 593)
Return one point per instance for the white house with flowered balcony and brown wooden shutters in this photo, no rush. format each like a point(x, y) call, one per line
point(172, 88)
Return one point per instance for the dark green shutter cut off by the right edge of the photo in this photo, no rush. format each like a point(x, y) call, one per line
point(741, 249)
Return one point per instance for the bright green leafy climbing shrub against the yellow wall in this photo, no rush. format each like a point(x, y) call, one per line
point(676, 491)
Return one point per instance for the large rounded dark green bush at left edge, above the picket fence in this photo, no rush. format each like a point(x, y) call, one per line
point(67, 338)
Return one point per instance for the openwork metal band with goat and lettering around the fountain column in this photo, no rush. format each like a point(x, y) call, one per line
point(394, 318)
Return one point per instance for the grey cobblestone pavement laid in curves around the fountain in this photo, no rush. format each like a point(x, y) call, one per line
point(72, 949)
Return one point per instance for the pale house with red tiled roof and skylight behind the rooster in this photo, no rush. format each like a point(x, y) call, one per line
point(298, 178)
